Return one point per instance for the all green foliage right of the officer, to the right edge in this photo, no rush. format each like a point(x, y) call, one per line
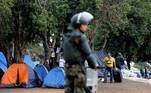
point(125, 25)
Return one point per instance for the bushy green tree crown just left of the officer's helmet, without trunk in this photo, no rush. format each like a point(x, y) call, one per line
point(49, 16)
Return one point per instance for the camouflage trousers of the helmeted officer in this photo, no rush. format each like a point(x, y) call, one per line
point(75, 79)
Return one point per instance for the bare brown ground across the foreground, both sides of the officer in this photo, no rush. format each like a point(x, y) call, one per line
point(125, 87)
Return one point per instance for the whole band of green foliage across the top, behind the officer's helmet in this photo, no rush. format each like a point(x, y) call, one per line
point(120, 25)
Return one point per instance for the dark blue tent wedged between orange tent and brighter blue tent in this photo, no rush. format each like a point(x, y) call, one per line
point(41, 71)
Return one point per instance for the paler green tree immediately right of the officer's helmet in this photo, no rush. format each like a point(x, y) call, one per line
point(111, 18)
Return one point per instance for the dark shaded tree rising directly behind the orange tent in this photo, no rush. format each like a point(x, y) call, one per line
point(21, 26)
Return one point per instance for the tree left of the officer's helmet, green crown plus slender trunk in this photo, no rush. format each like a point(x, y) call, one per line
point(49, 20)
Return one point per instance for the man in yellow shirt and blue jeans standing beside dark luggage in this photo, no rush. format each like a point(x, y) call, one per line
point(109, 66)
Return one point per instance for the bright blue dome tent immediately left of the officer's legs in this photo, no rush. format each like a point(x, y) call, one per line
point(55, 78)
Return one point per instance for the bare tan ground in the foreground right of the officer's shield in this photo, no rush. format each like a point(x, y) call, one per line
point(125, 87)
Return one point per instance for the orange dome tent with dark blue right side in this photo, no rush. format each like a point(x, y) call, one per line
point(19, 75)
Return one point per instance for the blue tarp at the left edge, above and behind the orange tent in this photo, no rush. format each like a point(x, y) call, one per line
point(3, 62)
